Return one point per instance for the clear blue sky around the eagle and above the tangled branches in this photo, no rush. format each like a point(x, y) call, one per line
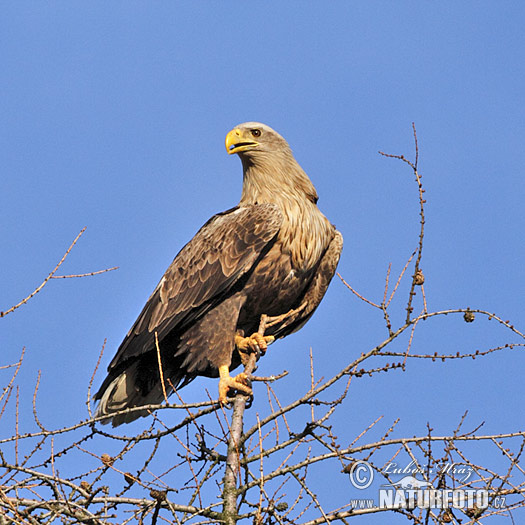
point(113, 116)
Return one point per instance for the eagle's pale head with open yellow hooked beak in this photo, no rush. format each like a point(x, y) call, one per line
point(253, 138)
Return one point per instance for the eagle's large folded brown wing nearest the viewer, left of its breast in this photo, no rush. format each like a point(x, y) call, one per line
point(222, 252)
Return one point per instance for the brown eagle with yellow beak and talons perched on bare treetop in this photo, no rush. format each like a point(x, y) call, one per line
point(273, 253)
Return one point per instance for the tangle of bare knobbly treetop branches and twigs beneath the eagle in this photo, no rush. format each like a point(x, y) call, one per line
point(204, 465)
